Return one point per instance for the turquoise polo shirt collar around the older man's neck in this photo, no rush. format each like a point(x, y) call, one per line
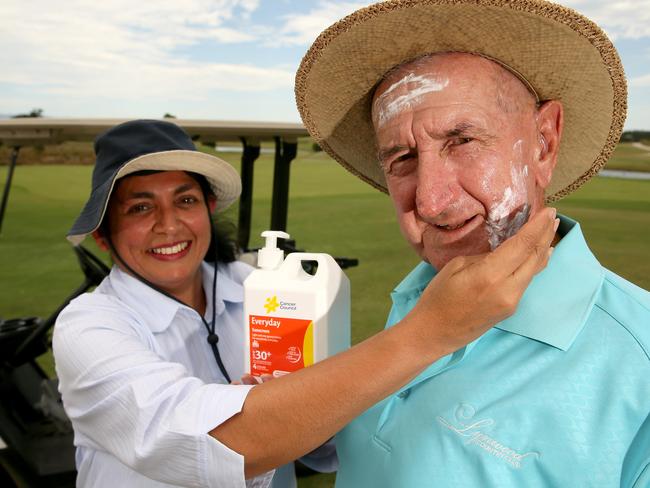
point(556, 304)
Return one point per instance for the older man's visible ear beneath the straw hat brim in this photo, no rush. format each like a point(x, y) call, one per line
point(550, 122)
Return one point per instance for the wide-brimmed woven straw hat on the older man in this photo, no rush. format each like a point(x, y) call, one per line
point(560, 53)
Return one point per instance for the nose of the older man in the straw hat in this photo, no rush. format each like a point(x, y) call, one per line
point(437, 185)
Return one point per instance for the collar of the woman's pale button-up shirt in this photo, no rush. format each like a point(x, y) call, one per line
point(159, 310)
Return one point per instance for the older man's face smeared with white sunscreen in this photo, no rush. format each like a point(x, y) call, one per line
point(464, 154)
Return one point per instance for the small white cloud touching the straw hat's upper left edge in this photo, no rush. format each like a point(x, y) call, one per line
point(302, 29)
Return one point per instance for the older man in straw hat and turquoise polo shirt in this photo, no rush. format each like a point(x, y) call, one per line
point(457, 111)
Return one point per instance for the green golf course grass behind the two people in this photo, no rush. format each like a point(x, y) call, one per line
point(330, 211)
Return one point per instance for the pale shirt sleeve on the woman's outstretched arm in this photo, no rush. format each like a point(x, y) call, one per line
point(149, 413)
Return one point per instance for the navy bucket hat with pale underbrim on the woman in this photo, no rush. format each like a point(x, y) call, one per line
point(140, 145)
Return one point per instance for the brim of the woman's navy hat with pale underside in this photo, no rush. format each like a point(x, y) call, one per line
point(222, 177)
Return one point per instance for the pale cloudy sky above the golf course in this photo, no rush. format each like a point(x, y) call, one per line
point(211, 59)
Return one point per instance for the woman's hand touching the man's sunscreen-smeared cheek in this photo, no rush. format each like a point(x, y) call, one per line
point(471, 294)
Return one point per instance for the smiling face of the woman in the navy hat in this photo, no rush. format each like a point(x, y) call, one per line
point(160, 227)
